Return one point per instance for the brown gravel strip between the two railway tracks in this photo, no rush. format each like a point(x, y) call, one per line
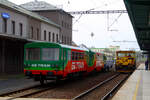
point(70, 89)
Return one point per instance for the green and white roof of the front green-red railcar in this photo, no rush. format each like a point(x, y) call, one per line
point(40, 43)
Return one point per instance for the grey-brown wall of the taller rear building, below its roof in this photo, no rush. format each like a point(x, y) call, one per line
point(62, 19)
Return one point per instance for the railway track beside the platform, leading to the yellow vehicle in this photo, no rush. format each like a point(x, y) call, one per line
point(92, 93)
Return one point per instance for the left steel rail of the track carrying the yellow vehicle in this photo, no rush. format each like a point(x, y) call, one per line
point(93, 88)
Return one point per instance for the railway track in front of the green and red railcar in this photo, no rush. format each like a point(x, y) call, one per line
point(29, 91)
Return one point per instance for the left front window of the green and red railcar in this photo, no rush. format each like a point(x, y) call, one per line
point(33, 54)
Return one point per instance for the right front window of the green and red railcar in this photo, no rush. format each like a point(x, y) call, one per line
point(50, 54)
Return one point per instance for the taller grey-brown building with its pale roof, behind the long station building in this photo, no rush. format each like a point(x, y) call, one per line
point(55, 14)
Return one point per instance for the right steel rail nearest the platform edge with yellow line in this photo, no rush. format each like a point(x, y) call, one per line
point(105, 97)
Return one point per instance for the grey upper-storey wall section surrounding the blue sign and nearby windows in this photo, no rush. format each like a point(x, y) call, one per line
point(17, 18)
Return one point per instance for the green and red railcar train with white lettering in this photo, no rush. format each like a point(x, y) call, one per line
point(47, 61)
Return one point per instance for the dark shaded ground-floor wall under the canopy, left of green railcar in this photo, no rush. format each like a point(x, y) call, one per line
point(11, 55)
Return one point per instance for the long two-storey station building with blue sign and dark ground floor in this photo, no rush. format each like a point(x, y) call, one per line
point(17, 27)
